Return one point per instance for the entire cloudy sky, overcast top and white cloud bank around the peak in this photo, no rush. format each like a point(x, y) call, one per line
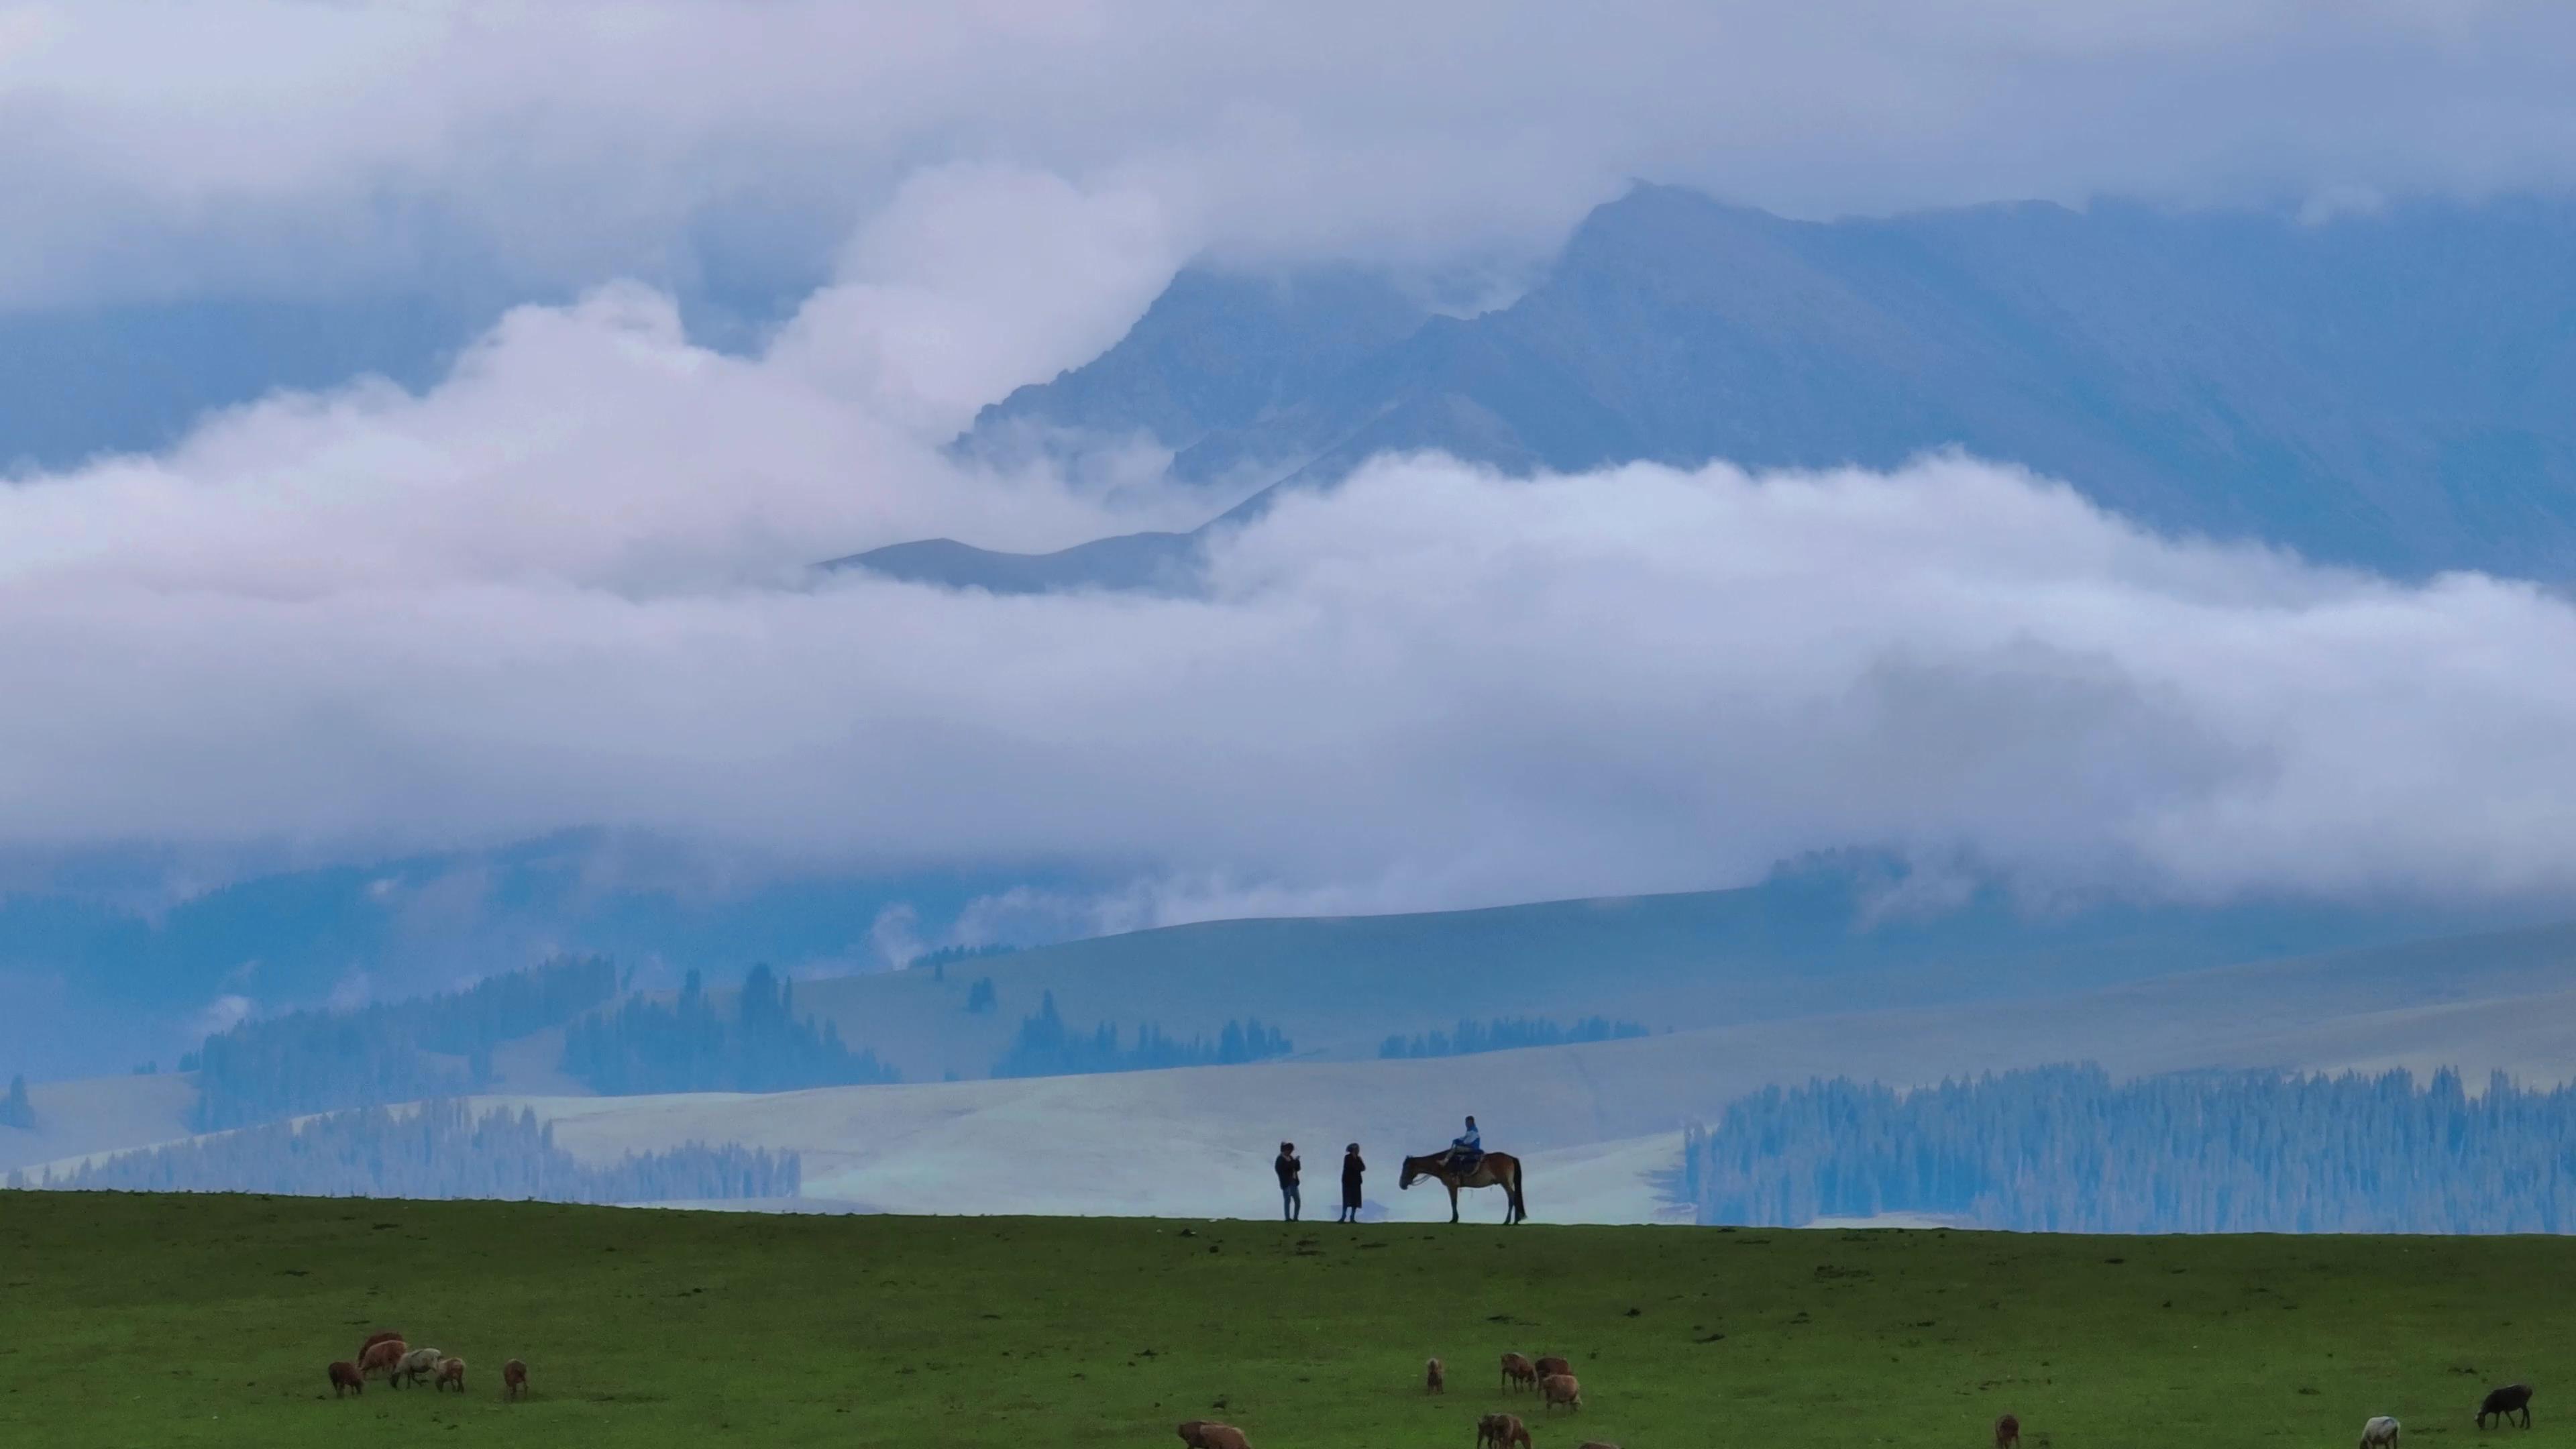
point(565, 584)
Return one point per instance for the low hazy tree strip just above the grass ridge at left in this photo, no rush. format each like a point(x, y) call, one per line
point(437, 1149)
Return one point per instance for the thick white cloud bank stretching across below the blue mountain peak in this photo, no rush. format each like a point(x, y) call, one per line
point(568, 589)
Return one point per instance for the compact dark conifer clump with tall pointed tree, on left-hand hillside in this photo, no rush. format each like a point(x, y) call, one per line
point(689, 1045)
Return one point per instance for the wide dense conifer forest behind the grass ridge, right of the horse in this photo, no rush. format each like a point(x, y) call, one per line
point(2070, 1151)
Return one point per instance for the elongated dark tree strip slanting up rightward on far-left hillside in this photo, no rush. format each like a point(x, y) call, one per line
point(323, 1061)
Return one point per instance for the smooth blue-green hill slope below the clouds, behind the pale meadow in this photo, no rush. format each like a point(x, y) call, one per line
point(1802, 945)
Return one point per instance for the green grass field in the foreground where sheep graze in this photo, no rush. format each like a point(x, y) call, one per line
point(164, 1321)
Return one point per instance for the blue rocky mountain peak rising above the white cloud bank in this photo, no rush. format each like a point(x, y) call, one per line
point(2379, 391)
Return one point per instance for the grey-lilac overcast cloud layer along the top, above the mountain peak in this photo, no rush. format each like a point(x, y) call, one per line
point(313, 148)
